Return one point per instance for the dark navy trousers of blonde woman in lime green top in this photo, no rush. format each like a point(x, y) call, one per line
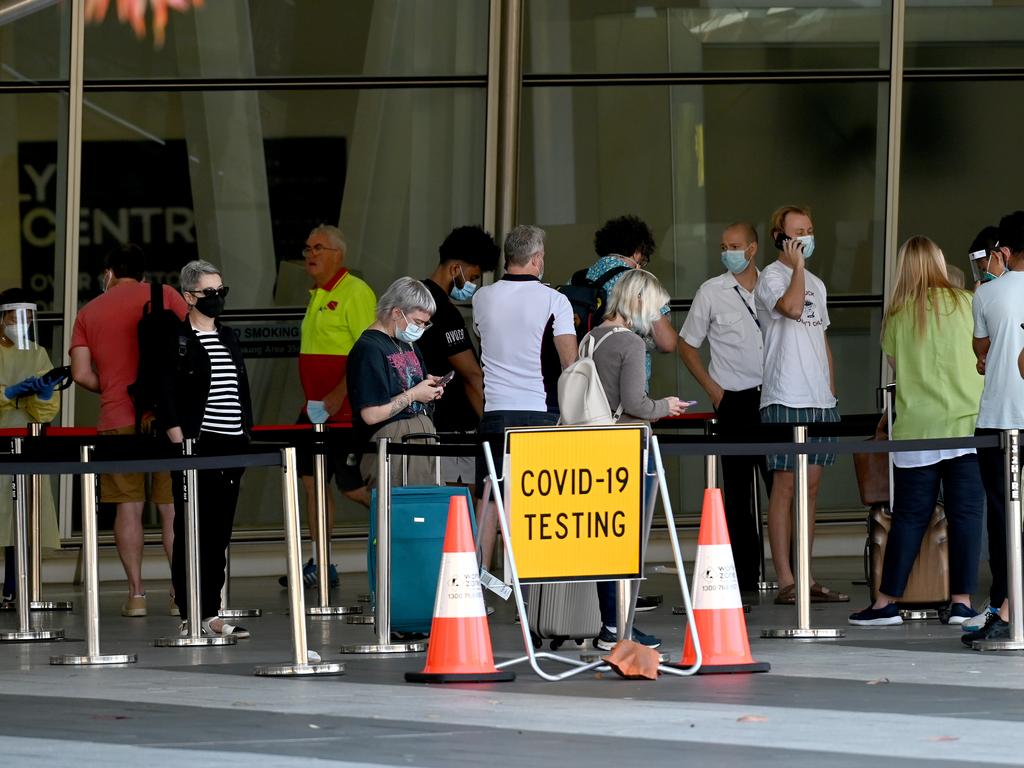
point(916, 491)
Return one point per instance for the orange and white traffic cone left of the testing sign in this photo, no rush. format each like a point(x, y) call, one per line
point(460, 641)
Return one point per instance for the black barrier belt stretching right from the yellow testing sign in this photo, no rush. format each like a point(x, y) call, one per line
point(703, 447)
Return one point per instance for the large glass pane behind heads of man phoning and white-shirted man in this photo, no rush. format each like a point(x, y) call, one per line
point(691, 160)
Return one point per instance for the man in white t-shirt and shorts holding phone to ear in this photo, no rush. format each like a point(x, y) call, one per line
point(799, 379)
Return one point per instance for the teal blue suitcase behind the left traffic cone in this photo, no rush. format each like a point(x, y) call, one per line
point(419, 519)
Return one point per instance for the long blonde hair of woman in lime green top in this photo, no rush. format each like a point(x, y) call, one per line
point(921, 268)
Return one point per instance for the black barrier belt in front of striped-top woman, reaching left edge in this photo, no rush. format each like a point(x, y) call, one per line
point(12, 466)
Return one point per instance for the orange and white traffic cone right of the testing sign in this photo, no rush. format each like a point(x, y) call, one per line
point(718, 610)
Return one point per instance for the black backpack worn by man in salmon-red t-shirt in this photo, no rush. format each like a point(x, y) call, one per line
point(156, 327)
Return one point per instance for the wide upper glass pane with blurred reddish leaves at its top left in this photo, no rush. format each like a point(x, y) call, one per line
point(301, 38)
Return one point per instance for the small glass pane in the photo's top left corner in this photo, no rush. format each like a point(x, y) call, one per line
point(34, 40)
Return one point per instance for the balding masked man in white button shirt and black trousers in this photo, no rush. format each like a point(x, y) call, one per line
point(723, 314)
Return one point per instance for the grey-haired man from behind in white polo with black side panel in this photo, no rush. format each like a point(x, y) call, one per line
point(513, 317)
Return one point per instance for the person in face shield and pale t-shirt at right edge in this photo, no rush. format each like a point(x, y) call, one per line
point(999, 314)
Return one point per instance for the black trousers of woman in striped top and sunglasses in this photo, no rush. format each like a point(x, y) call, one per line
point(218, 496)
